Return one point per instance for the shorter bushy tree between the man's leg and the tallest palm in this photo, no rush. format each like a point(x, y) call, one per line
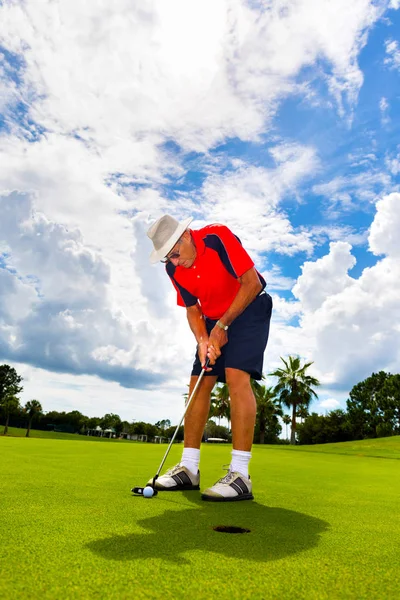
point(268, 411)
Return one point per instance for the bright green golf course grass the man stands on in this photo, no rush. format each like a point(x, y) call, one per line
point(324, 525)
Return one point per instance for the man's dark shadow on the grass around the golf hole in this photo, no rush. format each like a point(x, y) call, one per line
point(274, 532)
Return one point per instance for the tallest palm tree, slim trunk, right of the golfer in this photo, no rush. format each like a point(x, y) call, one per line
point(294, 387)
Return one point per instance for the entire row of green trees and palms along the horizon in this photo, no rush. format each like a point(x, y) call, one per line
point(373, 410)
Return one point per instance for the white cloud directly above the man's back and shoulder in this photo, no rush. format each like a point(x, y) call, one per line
point(247, 200)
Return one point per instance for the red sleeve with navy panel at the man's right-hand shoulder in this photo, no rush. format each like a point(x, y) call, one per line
point(231, 252)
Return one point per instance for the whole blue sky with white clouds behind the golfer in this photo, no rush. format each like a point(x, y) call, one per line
point(279, 119)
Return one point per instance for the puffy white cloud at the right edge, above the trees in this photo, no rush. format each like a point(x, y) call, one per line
point(354, 322)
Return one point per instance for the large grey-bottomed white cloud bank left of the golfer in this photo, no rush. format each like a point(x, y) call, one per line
point(62, 314)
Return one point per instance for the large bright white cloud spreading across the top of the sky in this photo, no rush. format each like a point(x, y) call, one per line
point(197, 72)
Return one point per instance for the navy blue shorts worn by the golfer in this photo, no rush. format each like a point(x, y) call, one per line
point(247, 340)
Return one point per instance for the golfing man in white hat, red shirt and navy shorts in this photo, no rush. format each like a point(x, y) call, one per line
point(229, 313)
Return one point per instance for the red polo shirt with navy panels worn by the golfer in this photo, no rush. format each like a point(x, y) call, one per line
point(212, 280)
